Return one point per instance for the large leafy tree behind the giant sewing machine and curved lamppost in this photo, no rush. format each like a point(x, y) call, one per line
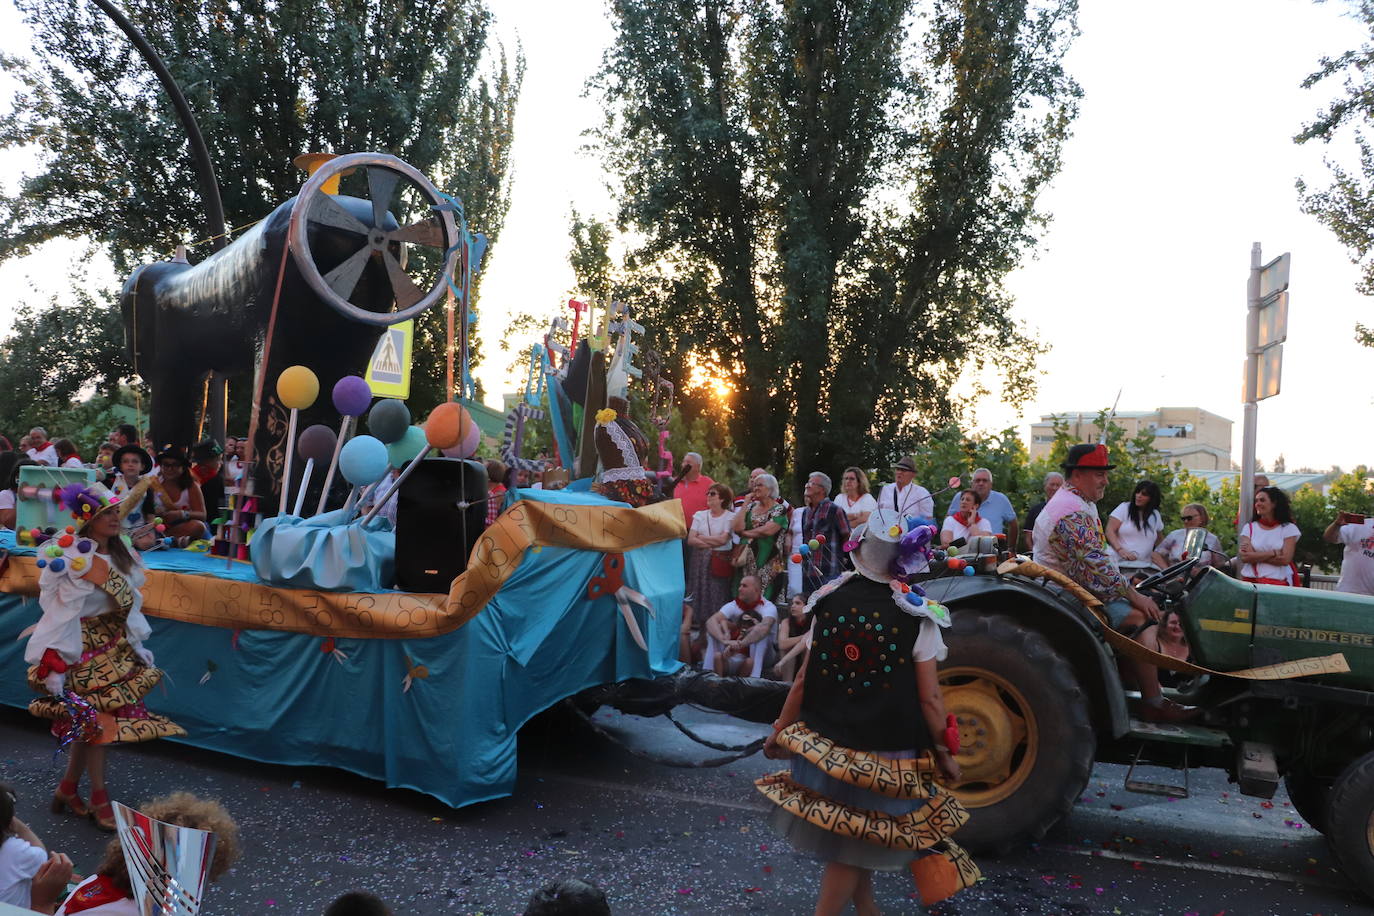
point(267, 83)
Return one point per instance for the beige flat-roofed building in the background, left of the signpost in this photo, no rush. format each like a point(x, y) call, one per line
point(1189, 436)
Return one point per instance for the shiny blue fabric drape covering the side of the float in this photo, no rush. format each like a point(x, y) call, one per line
point(281, 698)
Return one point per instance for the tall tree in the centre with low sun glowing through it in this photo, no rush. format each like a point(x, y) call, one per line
point(824, 204)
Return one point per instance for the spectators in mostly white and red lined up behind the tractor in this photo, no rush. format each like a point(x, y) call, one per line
point(751, 556)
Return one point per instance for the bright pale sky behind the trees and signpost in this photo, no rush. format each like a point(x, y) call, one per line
point(1181, 160)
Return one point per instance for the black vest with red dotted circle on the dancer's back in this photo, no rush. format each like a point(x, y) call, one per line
point(861, 686)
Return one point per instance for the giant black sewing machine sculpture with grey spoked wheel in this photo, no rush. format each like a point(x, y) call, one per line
point(341, 267)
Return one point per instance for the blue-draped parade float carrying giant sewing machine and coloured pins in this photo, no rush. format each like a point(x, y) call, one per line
point(286, 639)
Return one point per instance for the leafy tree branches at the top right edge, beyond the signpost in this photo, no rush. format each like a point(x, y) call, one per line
point(1347, 205)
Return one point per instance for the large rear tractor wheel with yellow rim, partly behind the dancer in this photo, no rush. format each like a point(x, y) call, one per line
point(1026, 741)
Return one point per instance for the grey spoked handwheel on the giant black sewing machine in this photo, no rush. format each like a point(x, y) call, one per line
point(387, 181)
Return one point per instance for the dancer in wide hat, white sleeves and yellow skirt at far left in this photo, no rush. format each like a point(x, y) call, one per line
point(87, 653)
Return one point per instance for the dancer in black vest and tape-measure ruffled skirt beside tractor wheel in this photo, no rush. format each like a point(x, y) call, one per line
point(861, 794)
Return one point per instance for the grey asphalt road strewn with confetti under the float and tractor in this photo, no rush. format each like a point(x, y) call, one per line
point(667, 841)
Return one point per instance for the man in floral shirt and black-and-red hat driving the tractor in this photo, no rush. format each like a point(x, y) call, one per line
point(1068, 538)
